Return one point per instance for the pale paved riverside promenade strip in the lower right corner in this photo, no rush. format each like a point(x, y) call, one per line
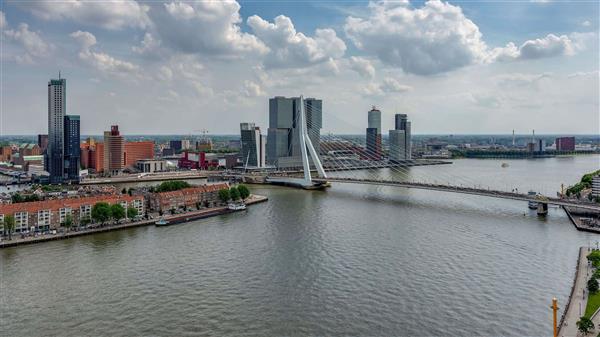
point(577, 299)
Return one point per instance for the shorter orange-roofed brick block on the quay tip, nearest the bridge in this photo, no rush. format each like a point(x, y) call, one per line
point(205, 195)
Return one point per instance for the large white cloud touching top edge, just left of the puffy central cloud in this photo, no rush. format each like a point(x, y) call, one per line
point(208, 27)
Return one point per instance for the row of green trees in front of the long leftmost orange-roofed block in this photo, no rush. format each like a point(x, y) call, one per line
point(101, 213)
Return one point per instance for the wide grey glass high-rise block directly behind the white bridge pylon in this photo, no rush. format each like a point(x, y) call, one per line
point(283, 140)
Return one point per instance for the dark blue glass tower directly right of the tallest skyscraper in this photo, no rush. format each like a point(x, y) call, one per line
point(72, 151)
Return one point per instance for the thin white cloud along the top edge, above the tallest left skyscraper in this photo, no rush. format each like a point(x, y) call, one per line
point(114, 14)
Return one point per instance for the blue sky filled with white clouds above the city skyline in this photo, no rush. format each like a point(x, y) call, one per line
point(179, 67)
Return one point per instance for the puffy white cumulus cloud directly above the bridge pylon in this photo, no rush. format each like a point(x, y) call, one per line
point(289, 48)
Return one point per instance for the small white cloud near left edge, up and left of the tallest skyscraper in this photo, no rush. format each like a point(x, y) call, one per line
point(31, 42)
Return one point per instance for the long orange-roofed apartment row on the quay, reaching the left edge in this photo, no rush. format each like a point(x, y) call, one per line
point(50, 214)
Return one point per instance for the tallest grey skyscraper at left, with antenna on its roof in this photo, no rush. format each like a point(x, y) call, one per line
point(54, 160)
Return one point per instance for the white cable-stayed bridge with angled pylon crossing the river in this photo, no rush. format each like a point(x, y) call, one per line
point(335, 163)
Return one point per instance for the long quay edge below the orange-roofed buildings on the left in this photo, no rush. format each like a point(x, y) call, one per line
point(177, 218)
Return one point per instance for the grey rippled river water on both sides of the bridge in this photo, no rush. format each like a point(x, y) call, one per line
point(352, 260)
